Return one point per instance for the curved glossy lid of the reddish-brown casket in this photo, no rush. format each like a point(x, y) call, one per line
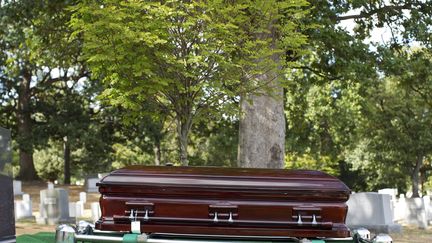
point(225, 178)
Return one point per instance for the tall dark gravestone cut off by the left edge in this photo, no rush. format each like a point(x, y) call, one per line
point(7, 220)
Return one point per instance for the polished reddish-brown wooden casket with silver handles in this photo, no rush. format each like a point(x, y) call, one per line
point(223, 201)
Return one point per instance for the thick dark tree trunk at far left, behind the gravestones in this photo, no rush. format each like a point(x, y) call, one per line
point(24, 124)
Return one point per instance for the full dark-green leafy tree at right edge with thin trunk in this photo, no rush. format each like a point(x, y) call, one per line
point(398, 121)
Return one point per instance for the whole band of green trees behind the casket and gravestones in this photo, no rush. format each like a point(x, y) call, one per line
point(90, 86)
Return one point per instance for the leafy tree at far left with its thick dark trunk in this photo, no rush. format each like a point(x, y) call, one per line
point(36, 53)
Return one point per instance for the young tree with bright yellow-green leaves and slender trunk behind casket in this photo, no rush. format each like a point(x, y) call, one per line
point(191, 58)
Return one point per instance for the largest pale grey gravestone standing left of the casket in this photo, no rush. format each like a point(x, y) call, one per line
point(54, 207)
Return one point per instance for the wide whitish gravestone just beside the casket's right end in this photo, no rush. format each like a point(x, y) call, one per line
point(372, 211)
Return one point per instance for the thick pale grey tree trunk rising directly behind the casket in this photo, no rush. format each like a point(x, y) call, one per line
point(262, 120)
